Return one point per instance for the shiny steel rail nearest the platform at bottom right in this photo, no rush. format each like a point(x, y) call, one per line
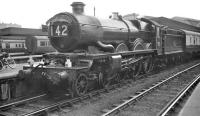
point(171, 105)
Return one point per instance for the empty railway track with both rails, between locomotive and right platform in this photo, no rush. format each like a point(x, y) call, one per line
point(159, 99)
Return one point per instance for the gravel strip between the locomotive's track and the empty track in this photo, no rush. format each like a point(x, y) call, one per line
point(94, 106)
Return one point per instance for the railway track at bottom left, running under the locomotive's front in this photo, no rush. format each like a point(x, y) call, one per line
point(42, 105)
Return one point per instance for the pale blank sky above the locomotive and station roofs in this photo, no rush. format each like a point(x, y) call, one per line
point(33, 13)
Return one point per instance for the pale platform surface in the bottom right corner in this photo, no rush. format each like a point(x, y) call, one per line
point(192, 105)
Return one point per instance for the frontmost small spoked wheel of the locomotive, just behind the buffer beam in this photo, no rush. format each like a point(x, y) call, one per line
point(80, 85)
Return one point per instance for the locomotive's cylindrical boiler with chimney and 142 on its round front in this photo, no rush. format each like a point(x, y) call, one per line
point(75, 31)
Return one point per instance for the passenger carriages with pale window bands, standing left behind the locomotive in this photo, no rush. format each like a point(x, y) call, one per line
point(23, 45)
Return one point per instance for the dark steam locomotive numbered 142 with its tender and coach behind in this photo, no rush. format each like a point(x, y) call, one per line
point(94, 53)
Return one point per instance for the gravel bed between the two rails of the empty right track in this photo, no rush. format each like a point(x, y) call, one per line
point(152, 103)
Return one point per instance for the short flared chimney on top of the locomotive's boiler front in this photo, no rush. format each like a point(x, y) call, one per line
point(78, 8)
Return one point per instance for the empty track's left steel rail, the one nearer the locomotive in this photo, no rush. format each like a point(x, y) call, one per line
point(136, 97)
